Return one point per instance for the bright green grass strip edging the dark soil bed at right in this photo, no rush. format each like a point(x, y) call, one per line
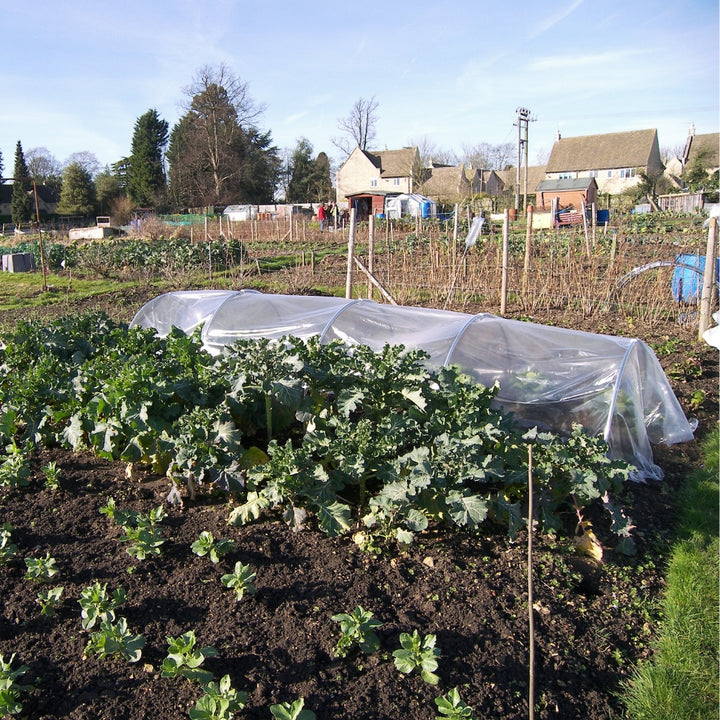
point(681, 682)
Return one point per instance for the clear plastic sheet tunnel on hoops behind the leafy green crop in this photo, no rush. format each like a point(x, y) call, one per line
point(550, 377)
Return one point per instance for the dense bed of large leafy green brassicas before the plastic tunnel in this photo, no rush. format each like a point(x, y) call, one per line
point(320, 433)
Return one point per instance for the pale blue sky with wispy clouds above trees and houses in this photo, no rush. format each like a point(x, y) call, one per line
point(77, 74)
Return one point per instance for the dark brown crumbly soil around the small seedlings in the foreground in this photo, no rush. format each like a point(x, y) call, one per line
point(593, 623)
